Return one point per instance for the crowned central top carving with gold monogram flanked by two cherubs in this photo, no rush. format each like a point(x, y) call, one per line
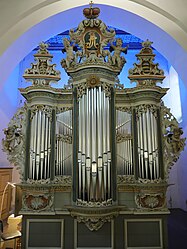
point(91, 37)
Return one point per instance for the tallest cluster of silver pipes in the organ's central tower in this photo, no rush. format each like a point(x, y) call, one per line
point(94, 146)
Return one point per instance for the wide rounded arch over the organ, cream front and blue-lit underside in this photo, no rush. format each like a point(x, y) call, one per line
point(34, 27)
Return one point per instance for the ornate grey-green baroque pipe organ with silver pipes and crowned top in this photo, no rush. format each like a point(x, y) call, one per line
point(94, 150)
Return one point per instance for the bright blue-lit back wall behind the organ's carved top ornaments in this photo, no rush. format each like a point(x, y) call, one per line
point(171, 81)
